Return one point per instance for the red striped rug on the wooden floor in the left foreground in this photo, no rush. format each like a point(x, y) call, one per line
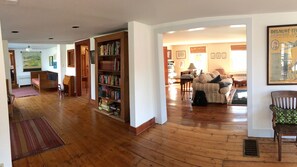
point(32, 136)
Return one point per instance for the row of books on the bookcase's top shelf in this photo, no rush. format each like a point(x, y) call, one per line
point(112, 48)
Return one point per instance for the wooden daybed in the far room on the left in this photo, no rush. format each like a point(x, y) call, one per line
point(44, 79)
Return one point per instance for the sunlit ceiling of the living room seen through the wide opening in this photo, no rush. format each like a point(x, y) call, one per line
point(222, 34)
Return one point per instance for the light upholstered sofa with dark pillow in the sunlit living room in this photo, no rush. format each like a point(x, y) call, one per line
point(216, 87)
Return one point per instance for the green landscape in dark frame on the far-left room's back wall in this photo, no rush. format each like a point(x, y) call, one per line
point(31, 61)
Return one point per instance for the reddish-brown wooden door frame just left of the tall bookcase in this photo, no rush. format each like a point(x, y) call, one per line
point(78, 67)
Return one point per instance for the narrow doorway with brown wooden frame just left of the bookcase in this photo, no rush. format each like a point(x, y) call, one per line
point(83, 79)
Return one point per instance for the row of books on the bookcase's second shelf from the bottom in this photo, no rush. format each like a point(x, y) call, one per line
point(110, 93)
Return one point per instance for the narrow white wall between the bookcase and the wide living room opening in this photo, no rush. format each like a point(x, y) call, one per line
point(142, 104)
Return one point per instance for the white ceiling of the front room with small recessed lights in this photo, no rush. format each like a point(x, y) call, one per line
point(38, 20)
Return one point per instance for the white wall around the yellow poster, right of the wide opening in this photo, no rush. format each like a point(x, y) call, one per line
point(260, 120)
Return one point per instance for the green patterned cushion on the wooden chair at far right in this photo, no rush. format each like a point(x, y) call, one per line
point(285, 116)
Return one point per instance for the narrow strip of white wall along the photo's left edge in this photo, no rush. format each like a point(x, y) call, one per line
point(5, 152)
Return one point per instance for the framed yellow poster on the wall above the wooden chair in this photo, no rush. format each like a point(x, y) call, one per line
point(282, 55)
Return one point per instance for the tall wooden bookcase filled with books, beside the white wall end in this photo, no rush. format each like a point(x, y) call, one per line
point(112, 75)
